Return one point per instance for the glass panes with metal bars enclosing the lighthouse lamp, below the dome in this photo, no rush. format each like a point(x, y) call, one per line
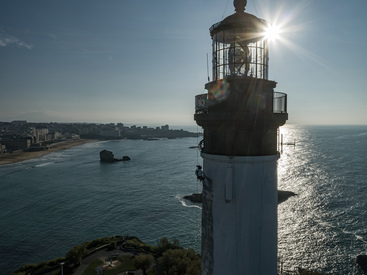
point(233, 57)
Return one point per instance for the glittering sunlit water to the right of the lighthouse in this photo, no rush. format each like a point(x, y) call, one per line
point(317, 228)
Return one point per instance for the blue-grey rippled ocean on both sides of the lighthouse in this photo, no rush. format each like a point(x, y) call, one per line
point(52, 203)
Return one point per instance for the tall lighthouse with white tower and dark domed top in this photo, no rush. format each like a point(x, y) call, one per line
point(240, 115)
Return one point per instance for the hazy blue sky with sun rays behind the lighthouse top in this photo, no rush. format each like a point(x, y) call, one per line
point(143, 62)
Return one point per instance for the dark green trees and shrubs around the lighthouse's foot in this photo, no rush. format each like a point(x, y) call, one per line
point(169, 258)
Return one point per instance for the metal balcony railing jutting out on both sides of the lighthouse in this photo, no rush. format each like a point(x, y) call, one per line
point(279, 103)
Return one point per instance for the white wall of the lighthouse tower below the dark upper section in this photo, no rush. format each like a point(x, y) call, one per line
point(244, 215)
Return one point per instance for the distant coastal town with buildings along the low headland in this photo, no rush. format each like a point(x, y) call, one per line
point(32, 137)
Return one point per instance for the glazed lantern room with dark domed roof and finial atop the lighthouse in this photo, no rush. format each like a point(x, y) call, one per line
point(239, 46)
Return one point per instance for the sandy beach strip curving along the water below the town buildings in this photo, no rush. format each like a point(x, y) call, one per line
point(19, 156)
